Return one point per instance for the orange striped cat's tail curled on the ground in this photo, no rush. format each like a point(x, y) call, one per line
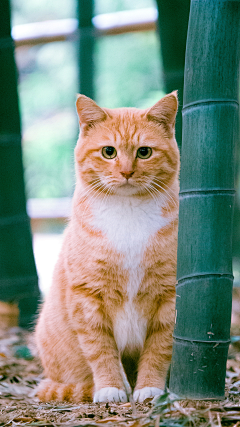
point(75, 393)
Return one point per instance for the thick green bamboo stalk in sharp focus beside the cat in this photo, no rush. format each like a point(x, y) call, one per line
point(210, 130)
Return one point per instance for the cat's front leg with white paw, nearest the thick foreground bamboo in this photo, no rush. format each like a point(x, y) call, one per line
point(156, 356)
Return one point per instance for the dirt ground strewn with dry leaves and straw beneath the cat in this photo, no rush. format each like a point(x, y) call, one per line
point(20, 373)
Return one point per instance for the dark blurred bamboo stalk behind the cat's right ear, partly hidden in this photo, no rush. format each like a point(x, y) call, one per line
point(172, 26)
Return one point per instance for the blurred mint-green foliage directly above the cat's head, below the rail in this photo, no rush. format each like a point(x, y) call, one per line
point(128, 70)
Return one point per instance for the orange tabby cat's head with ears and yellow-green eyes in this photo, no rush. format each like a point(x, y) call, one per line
point(127, 151)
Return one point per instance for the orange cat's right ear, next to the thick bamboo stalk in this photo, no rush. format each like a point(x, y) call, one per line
point(164, 111)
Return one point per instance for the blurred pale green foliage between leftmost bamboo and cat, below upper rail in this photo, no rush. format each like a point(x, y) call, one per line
point(48, 84)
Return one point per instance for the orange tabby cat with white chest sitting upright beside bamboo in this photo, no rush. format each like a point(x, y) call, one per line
point(112, 300)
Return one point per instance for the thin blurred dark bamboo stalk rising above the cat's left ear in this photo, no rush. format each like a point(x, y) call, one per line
point(86, 48)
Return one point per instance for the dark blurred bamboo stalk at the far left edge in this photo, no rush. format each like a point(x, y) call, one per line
point(18, 276)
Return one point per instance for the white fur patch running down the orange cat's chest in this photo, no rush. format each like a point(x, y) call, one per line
point(128, 224)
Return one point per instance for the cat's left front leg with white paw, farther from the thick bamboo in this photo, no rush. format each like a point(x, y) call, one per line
point(98, 345)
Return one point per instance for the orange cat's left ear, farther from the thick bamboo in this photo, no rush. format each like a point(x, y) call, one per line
point(88, 111)
